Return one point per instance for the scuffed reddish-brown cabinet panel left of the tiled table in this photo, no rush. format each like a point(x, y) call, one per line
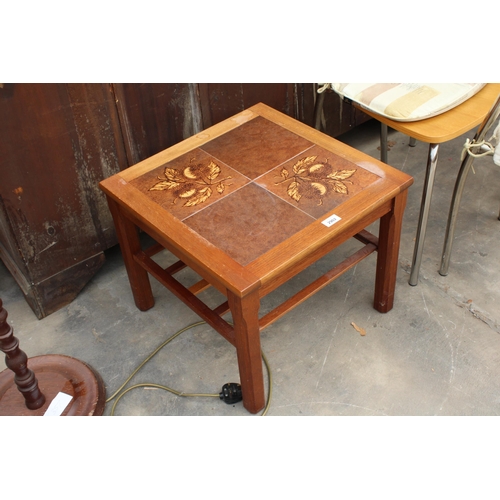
point(58, 141)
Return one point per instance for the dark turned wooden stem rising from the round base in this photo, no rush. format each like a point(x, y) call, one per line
point(17, 361)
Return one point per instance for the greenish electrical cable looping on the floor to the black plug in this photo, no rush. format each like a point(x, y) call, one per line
point(118, 394)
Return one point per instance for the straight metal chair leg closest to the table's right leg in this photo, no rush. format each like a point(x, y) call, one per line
point(424, 213)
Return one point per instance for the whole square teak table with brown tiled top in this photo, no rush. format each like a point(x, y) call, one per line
point(248, 204)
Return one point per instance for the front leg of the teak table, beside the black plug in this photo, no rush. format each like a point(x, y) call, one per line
point(247, 341)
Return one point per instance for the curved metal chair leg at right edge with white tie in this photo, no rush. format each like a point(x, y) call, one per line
point(459, 186)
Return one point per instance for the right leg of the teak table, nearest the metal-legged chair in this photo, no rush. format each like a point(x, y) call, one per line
point(388, 252)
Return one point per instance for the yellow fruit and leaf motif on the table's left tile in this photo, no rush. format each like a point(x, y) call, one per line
point(193, 183)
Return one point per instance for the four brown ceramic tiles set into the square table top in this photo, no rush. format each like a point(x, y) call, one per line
point(253, 187)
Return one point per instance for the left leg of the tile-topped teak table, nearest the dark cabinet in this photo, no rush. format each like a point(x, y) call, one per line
point(128, 237)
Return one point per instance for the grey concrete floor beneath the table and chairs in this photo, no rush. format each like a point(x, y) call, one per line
point(436, 353)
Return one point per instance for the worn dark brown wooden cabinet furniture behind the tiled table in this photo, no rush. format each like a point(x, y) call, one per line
point(59, 140)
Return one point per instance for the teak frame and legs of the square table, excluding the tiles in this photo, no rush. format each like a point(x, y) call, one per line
point(245, 285)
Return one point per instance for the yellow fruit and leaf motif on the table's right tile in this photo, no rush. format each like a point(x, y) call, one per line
point(314, 179)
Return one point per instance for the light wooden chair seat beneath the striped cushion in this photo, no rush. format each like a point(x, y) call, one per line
point(451, 124)
